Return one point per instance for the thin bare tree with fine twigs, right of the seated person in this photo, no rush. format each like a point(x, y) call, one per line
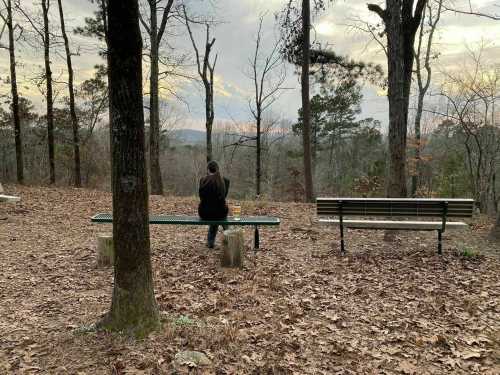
point(268, 75)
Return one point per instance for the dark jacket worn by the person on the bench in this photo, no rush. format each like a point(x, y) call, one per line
point(213, 204)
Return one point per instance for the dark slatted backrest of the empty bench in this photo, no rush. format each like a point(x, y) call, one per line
point(395, 207)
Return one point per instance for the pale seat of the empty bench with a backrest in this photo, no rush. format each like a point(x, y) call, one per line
point(386, 224)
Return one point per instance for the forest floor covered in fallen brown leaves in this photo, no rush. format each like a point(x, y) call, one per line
point(297, 307)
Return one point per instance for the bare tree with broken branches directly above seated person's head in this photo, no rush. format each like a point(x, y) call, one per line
point(206, 72)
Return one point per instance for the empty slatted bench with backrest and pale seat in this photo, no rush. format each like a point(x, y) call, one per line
point(335, 210)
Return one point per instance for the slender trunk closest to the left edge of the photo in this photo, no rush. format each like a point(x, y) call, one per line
point(15, 97)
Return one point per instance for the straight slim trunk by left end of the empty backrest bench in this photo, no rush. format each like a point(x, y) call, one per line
point(306, 106)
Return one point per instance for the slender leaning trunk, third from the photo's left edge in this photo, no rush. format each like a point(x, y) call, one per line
point(72, 109)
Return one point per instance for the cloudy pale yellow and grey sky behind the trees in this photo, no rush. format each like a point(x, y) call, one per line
point(235, 42)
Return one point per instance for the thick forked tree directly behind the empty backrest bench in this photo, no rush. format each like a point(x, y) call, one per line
point(402, 20)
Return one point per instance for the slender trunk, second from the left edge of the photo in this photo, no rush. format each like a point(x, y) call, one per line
point(48, 78)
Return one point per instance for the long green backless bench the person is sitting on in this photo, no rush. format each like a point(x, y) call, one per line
point(254, 221)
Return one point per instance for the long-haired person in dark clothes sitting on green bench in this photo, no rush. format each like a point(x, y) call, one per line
point(213, 192)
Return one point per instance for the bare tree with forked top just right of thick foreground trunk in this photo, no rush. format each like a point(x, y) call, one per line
point(155, 32)
